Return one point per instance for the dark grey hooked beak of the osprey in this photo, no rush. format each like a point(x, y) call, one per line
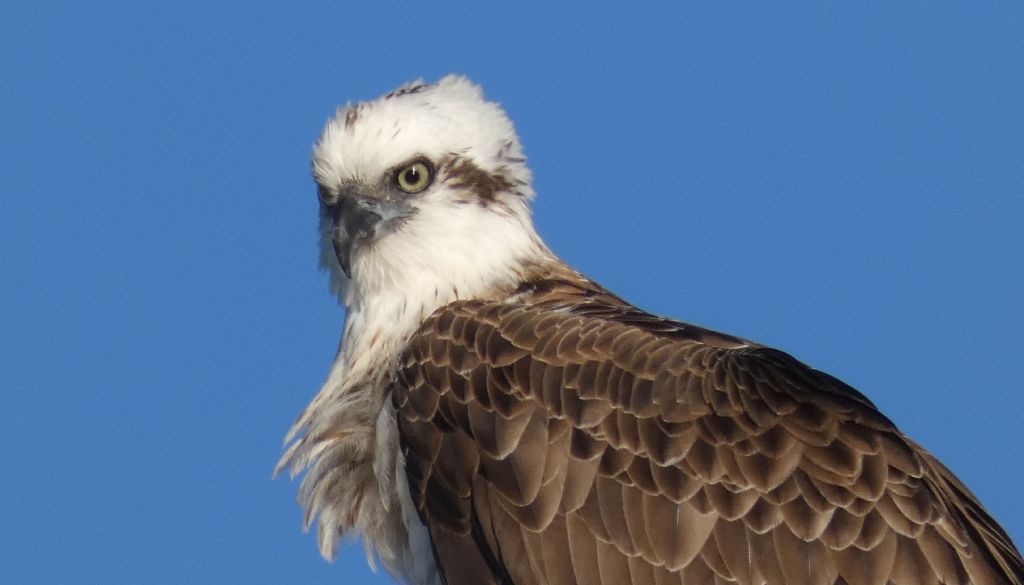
point(360, 219)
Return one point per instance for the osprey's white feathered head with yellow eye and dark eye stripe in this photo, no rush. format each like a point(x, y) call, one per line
point(425, 188)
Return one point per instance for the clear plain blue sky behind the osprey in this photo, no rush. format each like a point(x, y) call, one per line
point(844, 183)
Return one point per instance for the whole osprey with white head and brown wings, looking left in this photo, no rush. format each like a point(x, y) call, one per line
point(495, 417)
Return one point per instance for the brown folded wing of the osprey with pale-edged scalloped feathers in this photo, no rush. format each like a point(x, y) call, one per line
point(565, 437)
